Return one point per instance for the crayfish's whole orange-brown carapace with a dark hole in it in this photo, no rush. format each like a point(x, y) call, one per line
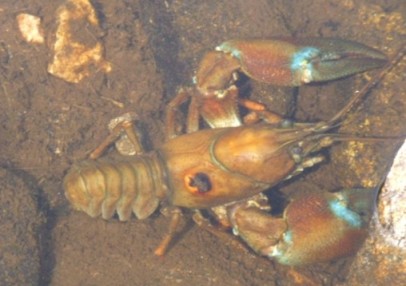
point(217, 166)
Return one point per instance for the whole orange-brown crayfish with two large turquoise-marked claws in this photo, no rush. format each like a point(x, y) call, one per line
point(226, 168)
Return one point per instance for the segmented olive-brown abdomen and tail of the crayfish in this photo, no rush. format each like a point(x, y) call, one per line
point(103, 187)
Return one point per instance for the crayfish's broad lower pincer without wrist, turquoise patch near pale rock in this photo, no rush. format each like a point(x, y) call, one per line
point(324, 227)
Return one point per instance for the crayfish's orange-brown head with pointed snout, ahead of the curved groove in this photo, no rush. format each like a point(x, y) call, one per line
point(268, 153)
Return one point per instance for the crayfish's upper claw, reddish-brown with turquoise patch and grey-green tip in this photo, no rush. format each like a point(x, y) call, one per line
point(293, 62)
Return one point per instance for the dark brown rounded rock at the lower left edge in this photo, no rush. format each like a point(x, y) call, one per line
point(20, 221)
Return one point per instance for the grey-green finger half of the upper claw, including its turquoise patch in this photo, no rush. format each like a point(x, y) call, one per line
point(322, 59)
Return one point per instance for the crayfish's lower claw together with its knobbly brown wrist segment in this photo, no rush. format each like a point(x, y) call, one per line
point(315, 227)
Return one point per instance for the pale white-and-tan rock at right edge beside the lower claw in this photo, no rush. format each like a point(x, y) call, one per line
point(383, 255)
